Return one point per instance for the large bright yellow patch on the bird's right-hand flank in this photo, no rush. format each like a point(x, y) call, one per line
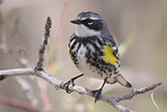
point(108, 55)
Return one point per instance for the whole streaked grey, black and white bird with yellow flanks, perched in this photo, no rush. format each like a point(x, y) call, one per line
point(94, 51)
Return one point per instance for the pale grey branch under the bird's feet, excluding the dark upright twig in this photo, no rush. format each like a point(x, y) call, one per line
point(59, 84)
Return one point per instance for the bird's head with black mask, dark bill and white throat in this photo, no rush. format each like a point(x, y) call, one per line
point(89, 24)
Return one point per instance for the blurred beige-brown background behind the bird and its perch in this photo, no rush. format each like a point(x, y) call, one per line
point(139, 27)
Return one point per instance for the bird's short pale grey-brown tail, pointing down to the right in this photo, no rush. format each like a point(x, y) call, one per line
point(121, 80)
